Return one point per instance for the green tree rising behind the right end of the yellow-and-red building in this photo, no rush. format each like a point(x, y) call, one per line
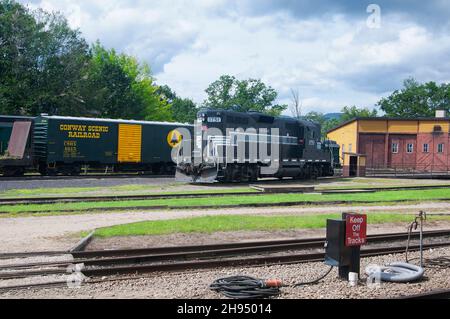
point(417, 100)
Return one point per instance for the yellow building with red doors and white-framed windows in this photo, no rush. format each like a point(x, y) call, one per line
point(418, 144)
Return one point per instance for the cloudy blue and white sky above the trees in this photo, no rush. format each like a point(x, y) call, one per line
point(335, 53)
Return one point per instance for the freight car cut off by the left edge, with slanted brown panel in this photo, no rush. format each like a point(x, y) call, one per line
point(15, 144)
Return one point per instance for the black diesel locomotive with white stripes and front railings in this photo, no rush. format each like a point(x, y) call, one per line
point(225, 144)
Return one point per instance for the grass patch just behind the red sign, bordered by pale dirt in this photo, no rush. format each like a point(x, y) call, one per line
point(227, 223)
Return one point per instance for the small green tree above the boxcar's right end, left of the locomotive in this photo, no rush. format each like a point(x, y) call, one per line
point(184, 110)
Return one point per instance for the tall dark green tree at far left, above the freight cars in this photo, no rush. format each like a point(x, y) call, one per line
point(41, 62)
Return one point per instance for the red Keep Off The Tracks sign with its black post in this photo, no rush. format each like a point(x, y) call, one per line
point(355, 237)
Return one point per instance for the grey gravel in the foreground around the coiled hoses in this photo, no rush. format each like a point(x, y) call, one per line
point(194, 285)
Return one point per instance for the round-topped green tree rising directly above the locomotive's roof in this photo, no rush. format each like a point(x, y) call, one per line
point(229, 93)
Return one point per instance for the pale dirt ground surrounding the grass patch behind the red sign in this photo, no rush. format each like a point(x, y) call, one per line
point(62, 232)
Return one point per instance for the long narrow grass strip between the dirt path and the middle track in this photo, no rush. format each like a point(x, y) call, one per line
point(380, 197)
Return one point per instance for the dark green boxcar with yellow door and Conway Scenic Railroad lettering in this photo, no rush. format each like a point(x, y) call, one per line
point(65, 144)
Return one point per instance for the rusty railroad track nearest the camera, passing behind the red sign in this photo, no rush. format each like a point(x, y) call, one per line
point(169, 259)
